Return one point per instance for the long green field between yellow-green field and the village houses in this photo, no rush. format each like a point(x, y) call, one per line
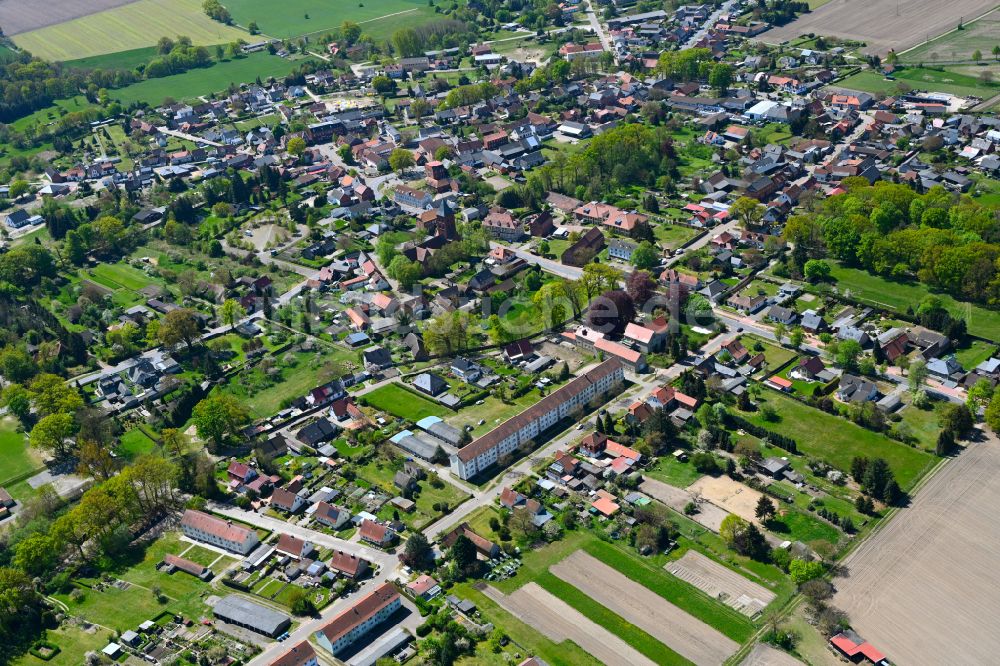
point(216, 78)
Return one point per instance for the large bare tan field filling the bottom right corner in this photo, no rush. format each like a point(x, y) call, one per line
point(934, 570)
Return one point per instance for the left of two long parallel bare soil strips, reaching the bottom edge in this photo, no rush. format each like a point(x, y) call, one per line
point(560, 622)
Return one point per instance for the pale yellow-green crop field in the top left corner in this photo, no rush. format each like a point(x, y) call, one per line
point(131, 26)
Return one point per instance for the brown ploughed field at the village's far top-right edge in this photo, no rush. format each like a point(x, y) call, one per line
point(875, 22)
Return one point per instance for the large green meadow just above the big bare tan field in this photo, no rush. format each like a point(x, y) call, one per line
point(837, 440)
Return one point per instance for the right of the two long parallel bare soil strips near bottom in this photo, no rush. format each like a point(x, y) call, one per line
point(689, 637)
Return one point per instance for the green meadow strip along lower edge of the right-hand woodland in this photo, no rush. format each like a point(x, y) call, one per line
point(897, 296)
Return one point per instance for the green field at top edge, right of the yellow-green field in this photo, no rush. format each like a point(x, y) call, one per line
point(299, 17)
